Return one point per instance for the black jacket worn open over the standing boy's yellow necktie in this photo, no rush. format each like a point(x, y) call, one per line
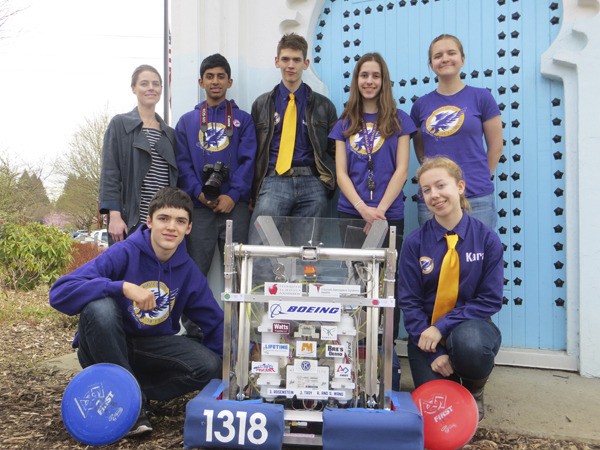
point(320, 118)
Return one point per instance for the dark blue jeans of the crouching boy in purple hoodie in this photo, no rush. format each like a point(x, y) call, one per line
point(165, 366)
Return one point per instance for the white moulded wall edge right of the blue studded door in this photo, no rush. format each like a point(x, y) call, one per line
point(573, 58)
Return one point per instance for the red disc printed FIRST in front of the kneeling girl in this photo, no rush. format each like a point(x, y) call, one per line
point(449, 413)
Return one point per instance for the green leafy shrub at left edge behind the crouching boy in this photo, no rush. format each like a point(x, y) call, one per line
point(32, 254)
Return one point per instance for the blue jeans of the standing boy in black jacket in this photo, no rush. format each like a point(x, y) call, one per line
point(303, 196)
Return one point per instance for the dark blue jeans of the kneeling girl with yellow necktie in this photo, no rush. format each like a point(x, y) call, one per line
point(471, 346)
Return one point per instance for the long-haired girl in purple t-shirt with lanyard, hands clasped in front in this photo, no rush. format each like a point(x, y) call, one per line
point(372, 151)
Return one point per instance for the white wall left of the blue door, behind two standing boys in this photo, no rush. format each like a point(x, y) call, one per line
point(246, 33)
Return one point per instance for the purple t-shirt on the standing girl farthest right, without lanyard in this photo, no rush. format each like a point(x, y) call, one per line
point(452, 126)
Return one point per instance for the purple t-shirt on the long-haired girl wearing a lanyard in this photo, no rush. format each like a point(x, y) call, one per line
point(384, 160)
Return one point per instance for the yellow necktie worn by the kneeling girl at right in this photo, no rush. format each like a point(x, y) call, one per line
point(447, 292)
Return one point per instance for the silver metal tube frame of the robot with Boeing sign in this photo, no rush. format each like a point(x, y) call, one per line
point(377, 385)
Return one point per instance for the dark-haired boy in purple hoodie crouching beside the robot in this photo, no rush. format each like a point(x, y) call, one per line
point(130, 300)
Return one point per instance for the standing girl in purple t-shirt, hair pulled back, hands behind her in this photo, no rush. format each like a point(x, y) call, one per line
point(453, 121)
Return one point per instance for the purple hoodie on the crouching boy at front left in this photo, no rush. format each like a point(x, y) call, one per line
point(178, 285)
